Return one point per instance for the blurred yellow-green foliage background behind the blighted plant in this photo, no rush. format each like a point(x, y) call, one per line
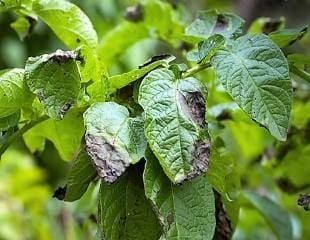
point(277, 170)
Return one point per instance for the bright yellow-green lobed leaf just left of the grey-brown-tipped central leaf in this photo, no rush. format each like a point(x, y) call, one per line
point(66, 135)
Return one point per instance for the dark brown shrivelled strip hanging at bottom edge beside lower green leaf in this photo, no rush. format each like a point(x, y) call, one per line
point(223, 229)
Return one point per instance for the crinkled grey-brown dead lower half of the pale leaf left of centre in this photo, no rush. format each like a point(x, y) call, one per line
point(108, 161)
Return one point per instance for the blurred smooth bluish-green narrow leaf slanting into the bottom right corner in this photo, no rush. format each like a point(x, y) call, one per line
point(276, 217)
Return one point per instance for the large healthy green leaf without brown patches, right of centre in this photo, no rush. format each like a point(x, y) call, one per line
point(255, 73)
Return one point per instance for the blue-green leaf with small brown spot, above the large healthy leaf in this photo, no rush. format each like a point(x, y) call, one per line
point(212, 22)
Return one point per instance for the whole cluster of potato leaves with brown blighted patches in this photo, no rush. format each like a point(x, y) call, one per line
point(150, 149)
